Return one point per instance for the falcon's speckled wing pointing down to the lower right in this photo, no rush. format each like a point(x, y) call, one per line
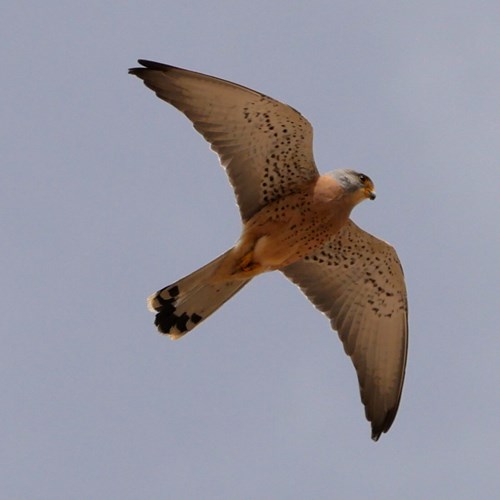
point(357, 281)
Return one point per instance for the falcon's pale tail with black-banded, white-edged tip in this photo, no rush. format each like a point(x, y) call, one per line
point(183, 305)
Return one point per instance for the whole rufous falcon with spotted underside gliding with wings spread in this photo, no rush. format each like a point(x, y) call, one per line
point(295, 221)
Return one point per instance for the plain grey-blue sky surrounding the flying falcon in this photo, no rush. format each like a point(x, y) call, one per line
point(107, 194)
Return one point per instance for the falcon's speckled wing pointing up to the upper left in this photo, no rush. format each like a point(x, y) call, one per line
point(265, 146)
